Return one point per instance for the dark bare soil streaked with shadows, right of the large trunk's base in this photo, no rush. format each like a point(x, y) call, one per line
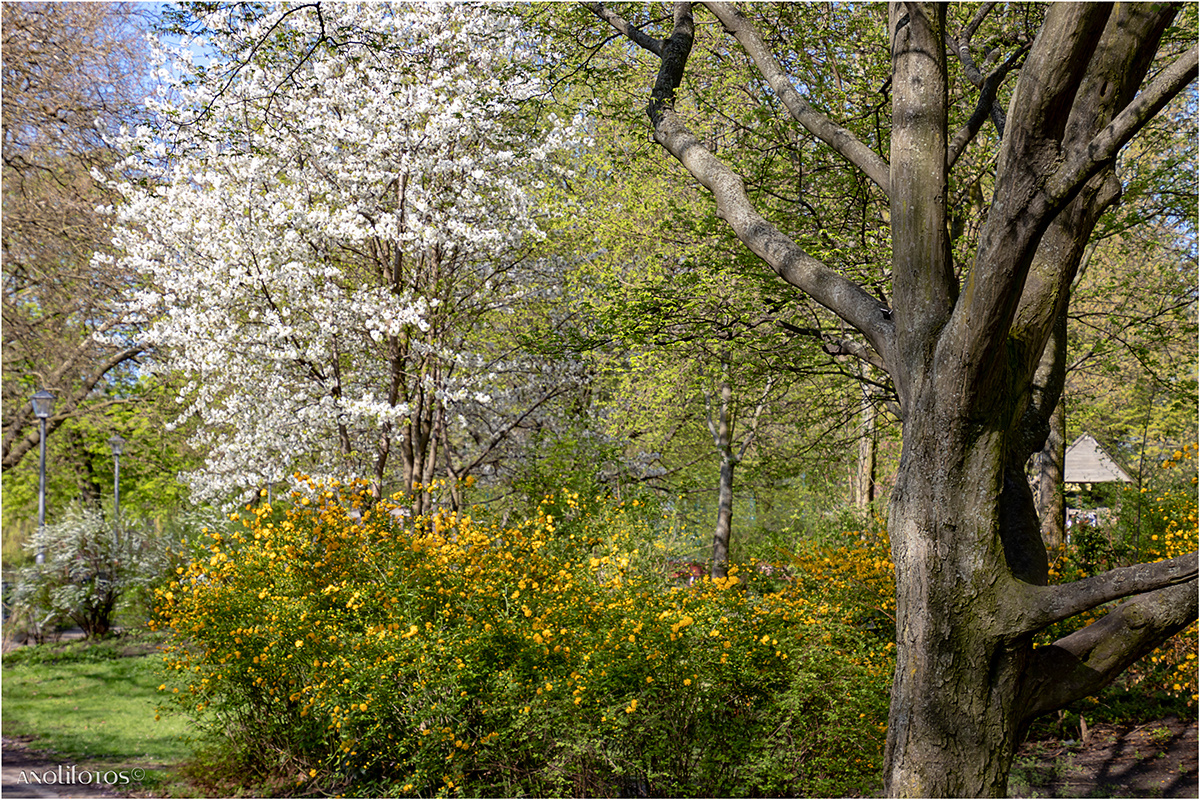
point(1157, 760)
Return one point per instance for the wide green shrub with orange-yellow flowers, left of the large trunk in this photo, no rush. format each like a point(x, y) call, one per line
point(357, 649)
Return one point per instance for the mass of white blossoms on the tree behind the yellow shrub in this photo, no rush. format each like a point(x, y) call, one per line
point(332, 215)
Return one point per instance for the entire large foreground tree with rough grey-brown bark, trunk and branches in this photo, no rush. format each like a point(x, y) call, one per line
point(970, 363)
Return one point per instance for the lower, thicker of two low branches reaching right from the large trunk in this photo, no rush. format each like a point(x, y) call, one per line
point(1083, 664)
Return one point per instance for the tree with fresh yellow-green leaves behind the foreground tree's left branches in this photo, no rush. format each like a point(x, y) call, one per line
point(701, 339)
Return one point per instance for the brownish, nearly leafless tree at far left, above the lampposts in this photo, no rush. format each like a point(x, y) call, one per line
point(73, 75)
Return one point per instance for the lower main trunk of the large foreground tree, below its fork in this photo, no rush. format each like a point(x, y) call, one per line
point(955, 724)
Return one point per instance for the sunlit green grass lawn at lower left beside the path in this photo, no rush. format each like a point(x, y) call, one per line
point(95, 706)
